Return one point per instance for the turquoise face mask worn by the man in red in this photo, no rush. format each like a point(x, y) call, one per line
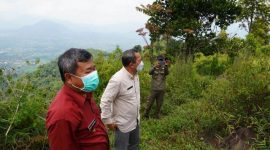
point(90, 82)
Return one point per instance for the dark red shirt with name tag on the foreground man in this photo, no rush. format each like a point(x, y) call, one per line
point(73, 122)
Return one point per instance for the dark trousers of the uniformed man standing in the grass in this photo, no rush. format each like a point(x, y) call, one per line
point(155, 96)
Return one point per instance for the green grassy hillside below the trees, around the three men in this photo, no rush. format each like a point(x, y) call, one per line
point(201, 109)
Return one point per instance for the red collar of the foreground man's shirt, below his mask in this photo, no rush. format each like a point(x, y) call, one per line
point(78, 97)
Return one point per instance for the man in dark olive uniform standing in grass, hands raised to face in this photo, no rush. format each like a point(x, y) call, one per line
point(158, 73)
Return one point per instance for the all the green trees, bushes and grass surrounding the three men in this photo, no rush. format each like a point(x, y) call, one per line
point(216, 98)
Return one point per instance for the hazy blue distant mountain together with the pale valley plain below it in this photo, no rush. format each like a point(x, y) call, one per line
point(46, 39)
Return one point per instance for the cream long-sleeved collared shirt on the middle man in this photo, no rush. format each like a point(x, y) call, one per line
point(120, 102)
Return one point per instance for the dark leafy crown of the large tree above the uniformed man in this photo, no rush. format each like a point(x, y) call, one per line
point(190, 21)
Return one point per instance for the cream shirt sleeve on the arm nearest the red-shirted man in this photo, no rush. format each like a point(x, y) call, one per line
point(107, 99)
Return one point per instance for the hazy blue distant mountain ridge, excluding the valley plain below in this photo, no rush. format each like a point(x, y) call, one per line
point(48, 34)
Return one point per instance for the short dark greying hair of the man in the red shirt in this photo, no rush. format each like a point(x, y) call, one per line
point(67, 62)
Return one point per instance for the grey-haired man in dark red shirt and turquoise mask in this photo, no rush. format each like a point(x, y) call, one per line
point(73, 120)
